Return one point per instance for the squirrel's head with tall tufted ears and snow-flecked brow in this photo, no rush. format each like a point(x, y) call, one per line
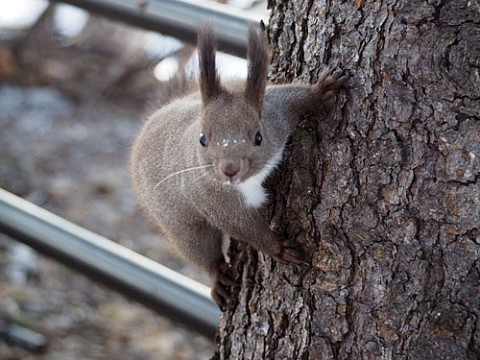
point(231, 136)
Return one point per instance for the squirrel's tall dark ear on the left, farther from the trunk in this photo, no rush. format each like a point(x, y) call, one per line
point(209, 80)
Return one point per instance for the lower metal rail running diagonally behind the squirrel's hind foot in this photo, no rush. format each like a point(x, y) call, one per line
point(163, 290)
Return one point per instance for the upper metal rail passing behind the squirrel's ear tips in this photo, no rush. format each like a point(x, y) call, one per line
point(179, 18)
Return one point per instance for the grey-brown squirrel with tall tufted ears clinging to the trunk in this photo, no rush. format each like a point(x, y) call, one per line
point(199, 162)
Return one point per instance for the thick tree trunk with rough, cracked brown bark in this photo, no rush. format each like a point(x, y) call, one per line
point(383, 192)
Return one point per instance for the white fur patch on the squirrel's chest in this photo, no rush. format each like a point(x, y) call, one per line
point(252, 190)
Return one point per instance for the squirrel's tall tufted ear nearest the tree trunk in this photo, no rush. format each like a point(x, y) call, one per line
point(258, 60)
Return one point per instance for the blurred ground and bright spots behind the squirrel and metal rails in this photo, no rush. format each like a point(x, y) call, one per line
point(74, 90)
